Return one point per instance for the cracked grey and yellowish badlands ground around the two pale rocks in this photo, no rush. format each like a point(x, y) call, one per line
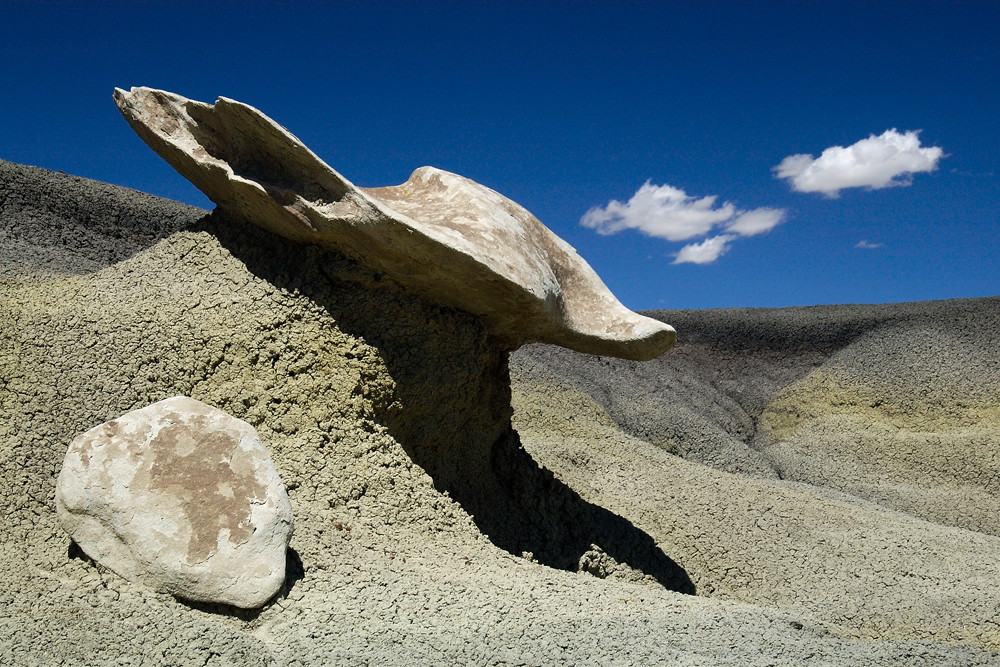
point(785, 487)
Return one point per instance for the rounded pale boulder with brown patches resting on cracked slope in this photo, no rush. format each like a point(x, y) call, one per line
point(182, 497)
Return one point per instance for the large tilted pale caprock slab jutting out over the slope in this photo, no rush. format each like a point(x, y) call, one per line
point(441, 235)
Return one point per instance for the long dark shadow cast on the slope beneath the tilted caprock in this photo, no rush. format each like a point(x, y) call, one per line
point(451, 412)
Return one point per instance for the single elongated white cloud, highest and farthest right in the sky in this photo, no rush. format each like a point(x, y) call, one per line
point(887, 160)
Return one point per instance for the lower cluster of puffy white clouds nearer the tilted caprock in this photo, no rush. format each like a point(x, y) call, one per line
point(670, 213)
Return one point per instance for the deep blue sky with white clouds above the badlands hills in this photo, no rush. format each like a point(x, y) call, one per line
point(615, 123)
